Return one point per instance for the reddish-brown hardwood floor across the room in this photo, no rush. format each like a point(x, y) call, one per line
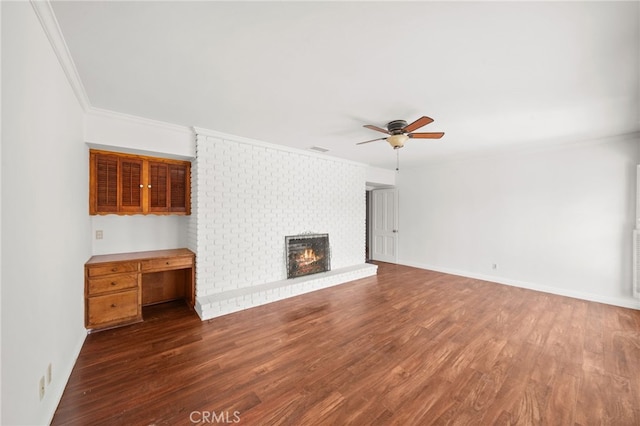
point(408, 347)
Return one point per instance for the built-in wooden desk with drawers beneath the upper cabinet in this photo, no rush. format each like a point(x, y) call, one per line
point(118, 285)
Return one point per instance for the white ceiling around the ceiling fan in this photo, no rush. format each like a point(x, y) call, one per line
point(491, 74)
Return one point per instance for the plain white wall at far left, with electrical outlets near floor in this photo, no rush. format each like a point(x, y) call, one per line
point(44, 220)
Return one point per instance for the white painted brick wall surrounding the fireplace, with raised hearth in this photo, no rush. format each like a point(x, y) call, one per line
point(246, 198)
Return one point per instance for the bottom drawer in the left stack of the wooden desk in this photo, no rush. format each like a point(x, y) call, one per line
point(112, 308)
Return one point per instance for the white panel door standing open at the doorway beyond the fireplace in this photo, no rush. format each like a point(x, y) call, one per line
point(384, 229)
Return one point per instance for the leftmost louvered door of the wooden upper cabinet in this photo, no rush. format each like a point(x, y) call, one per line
point(103, 195)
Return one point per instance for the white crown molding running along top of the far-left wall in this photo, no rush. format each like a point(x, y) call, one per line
point(49, 23)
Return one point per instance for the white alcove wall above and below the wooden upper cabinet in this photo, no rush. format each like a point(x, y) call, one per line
point(123, 133)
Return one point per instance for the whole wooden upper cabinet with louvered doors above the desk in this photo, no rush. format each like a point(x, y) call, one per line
point(134, 184)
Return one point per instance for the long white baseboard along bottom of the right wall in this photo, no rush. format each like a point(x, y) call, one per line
point(609, 300)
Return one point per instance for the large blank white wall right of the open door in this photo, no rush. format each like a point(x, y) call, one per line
point(558, 219)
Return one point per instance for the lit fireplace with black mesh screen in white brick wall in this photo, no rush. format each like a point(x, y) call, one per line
point(307, 254)
